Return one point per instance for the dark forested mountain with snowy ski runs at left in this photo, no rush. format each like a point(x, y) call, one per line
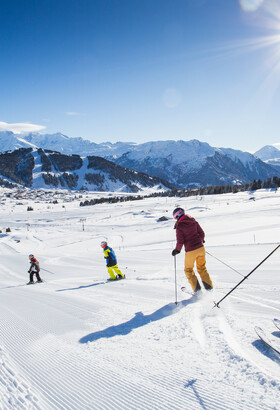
point(38, 168)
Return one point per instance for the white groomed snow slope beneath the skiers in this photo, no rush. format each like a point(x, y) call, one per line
point(77, 342)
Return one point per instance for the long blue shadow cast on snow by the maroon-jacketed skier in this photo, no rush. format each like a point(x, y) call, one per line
point(137, 321)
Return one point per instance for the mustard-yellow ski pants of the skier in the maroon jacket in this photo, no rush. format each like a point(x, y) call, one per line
point(198, 256)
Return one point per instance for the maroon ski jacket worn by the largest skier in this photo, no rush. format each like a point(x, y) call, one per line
point(188, 233)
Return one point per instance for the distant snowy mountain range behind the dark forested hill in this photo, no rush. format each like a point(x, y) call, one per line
point(181, 163)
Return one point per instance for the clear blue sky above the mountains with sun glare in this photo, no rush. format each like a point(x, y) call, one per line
point(131, 70)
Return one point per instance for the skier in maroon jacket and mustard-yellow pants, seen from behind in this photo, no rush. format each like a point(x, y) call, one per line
point(190, 234)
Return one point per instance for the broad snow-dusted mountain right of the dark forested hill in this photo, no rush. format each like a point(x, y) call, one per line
point(194, 163)
